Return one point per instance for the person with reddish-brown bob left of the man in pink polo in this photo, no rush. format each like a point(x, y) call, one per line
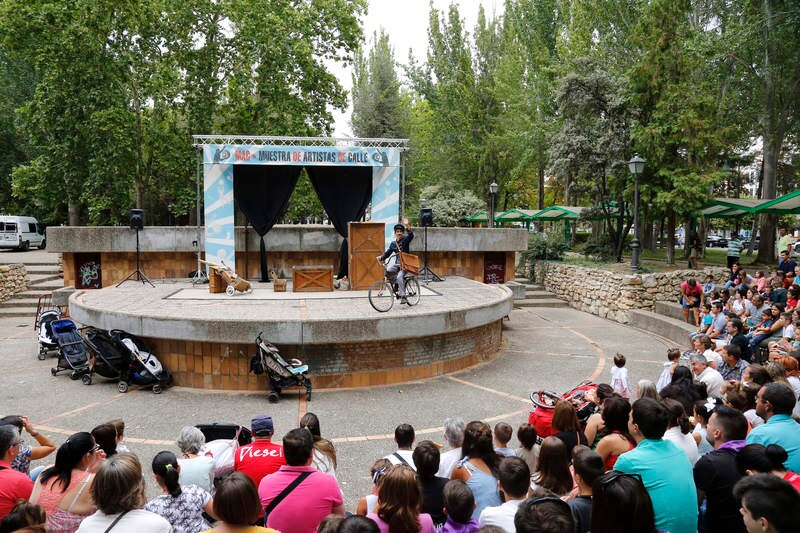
point(237, 505)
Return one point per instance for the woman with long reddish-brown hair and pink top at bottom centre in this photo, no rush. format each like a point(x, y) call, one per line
point(399, 504)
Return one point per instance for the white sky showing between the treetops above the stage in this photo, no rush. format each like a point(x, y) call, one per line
point(406, 23)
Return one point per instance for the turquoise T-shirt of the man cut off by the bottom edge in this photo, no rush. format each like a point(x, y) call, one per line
point(667, 475)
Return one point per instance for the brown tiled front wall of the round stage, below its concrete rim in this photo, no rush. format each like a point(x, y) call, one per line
point(221, 366)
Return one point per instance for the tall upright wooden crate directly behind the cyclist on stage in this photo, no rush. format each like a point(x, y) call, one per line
point(365, 242)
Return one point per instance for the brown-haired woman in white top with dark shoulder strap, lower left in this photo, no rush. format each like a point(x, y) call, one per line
point(118, 492)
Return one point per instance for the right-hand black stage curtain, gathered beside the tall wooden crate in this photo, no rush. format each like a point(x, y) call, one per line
point(345, 193)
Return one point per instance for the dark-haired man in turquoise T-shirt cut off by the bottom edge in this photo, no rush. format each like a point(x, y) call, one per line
point(665, 469)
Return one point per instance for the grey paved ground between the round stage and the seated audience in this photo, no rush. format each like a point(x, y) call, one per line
point(544, 348)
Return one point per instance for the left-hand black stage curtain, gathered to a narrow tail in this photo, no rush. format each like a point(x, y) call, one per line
point(262, 192)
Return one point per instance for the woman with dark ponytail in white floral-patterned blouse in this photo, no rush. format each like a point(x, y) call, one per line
point(181, 506)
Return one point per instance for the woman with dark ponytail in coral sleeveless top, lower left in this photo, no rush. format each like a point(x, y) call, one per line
point(63, 489)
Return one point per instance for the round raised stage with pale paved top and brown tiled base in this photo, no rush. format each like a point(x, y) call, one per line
point(206, 339)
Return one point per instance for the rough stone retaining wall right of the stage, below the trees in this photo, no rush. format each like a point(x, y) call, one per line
point(612, 294)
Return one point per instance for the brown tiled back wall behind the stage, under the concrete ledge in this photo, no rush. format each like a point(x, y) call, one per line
point(157, 265)
